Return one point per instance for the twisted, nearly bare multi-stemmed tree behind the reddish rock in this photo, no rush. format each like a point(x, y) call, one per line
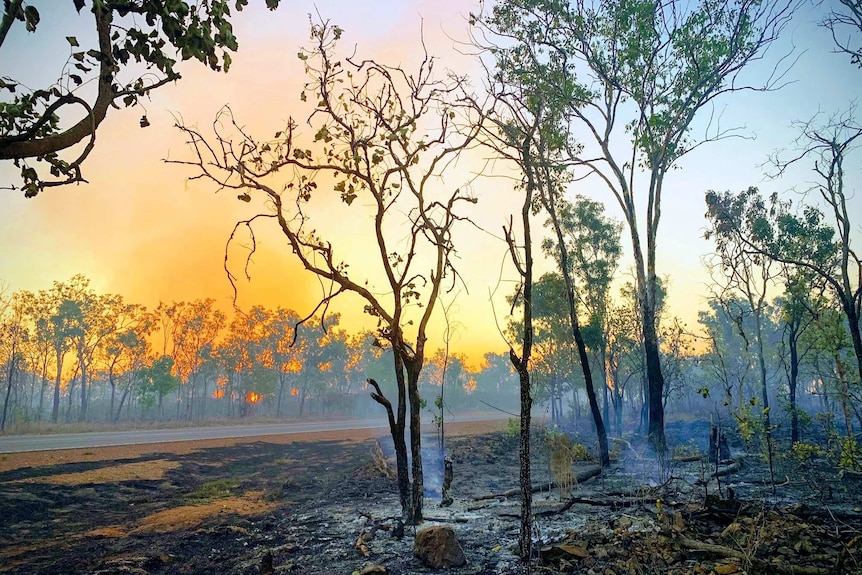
point(384, 137)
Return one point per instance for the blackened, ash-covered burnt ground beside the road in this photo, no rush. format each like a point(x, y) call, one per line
point(639, 517)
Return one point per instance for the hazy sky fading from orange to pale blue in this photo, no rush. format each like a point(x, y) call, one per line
point(140, 228)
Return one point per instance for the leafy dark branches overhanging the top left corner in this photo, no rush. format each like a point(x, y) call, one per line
point(128, 34)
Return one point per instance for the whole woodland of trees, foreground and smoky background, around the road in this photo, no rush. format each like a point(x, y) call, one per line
point(609, 96)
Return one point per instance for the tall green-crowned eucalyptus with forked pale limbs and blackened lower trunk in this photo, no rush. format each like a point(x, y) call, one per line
point(648, 69)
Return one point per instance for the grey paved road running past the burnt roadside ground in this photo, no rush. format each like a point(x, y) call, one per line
point(21, 443)
